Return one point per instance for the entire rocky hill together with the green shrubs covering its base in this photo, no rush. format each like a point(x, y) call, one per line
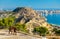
point(25, 19)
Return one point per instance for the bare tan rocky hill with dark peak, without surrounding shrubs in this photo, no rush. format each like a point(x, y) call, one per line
point(30, 17)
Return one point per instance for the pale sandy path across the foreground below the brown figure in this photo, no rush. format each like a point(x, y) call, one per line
point(4, 35)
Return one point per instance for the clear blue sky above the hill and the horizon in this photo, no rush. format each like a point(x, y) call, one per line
point(45, 4)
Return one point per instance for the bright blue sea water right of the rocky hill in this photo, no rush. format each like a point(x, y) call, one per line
point(53, 18)
